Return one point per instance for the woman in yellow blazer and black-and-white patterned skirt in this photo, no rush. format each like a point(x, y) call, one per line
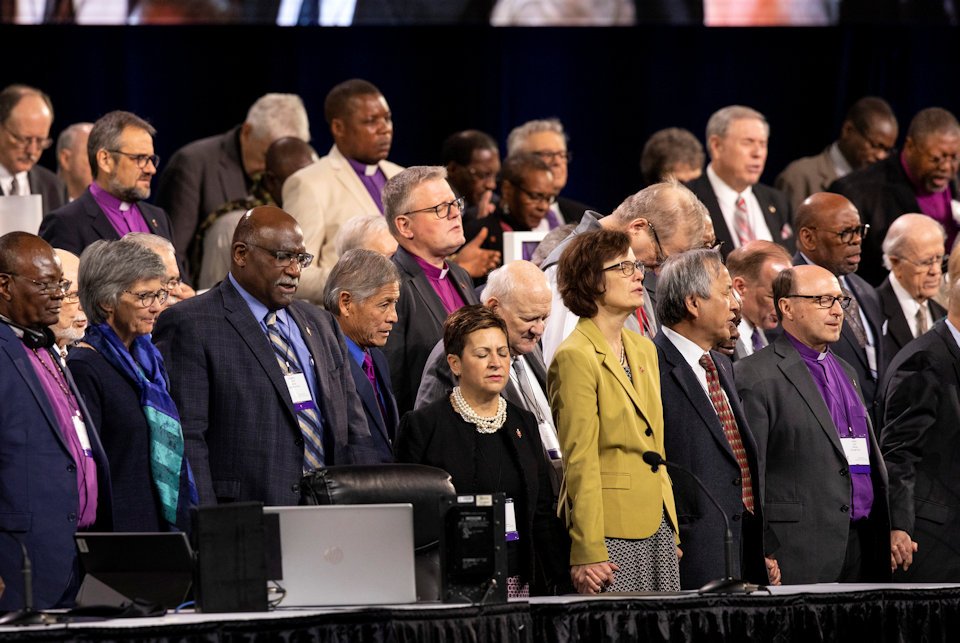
point(604, 387)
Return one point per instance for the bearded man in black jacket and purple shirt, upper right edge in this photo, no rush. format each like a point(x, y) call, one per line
point(921, 179)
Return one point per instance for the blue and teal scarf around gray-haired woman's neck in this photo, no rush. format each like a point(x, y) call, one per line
point(143, 365)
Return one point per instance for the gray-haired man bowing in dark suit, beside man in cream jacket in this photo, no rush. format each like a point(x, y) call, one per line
point(205, 174)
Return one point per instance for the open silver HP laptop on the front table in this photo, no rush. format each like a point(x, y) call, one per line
point(347, 554)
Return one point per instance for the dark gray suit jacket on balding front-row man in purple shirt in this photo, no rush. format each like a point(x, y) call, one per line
point(807, 490)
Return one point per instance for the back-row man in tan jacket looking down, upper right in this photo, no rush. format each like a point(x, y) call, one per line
point(867, 135)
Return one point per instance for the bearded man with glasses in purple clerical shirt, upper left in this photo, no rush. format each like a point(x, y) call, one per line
point(120, 148)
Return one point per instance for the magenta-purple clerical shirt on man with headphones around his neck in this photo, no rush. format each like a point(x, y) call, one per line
point(66, 411)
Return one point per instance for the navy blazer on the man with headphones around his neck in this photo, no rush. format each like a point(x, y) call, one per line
point(38, 479)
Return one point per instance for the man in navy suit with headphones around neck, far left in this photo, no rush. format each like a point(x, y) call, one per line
point(53, 472)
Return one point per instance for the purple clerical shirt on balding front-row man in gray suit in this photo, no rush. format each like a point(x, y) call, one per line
point(848, 414)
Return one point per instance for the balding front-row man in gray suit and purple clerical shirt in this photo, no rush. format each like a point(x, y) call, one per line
point(825, 494)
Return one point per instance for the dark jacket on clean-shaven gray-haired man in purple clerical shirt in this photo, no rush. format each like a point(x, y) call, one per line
point(420, 324)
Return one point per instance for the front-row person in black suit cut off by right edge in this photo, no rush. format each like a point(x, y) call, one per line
point(919, 439)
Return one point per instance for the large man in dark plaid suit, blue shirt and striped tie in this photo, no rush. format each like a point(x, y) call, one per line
point(261, 380)
